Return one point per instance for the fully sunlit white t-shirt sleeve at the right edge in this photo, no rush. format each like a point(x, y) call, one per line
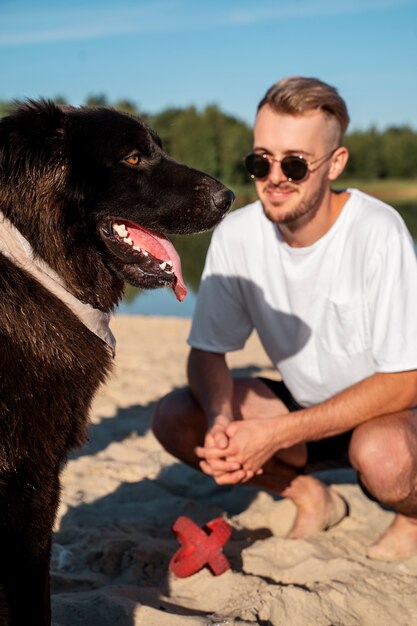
point(392, 297)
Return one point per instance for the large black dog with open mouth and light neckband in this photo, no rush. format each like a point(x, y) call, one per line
point(89, 194)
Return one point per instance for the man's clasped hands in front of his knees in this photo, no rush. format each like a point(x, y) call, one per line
point(235, 451)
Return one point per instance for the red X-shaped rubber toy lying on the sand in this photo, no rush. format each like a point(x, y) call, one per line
point(200, 547)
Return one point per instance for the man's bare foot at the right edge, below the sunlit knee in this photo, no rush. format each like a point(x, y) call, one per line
point(398, 542)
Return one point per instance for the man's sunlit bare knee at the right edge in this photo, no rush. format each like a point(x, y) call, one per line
point(382, 451)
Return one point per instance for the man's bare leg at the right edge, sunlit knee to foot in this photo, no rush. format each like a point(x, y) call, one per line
point(384, 452)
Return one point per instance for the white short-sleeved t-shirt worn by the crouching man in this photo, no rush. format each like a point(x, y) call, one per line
point(329, 314)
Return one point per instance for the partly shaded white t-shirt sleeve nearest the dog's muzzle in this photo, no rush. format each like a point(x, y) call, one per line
point(221, 322)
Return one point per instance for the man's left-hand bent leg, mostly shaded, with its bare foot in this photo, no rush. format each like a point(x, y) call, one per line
point(180, 425)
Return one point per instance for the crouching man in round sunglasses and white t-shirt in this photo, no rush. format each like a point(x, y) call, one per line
point(328, 280)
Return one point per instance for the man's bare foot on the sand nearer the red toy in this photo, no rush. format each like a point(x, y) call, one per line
point(318, 507)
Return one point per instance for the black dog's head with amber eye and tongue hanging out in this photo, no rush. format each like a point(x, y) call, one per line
point(95, 194)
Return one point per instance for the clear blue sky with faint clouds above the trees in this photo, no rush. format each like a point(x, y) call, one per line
point(164, 53)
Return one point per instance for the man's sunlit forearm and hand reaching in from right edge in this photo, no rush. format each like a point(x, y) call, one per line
point(252, 442)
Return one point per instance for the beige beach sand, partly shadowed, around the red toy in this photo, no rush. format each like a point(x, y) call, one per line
point(121, 494)
